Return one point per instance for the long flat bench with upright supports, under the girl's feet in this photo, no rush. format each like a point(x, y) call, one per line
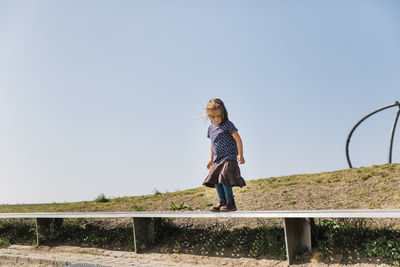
point(296, 222)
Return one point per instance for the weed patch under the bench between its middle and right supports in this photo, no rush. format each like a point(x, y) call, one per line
point(240, 241)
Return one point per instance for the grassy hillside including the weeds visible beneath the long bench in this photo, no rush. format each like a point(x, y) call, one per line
point(337, 241)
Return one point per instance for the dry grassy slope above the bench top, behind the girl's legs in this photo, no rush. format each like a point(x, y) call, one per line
point(367, 188)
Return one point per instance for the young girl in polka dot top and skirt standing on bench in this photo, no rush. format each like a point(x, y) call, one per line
point(226, 153)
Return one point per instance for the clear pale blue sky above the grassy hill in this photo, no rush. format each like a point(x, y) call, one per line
point(106, 96)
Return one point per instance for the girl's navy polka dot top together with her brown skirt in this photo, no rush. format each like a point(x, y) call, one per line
point(225, 168)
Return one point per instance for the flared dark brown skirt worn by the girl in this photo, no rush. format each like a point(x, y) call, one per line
point(226, 172)
